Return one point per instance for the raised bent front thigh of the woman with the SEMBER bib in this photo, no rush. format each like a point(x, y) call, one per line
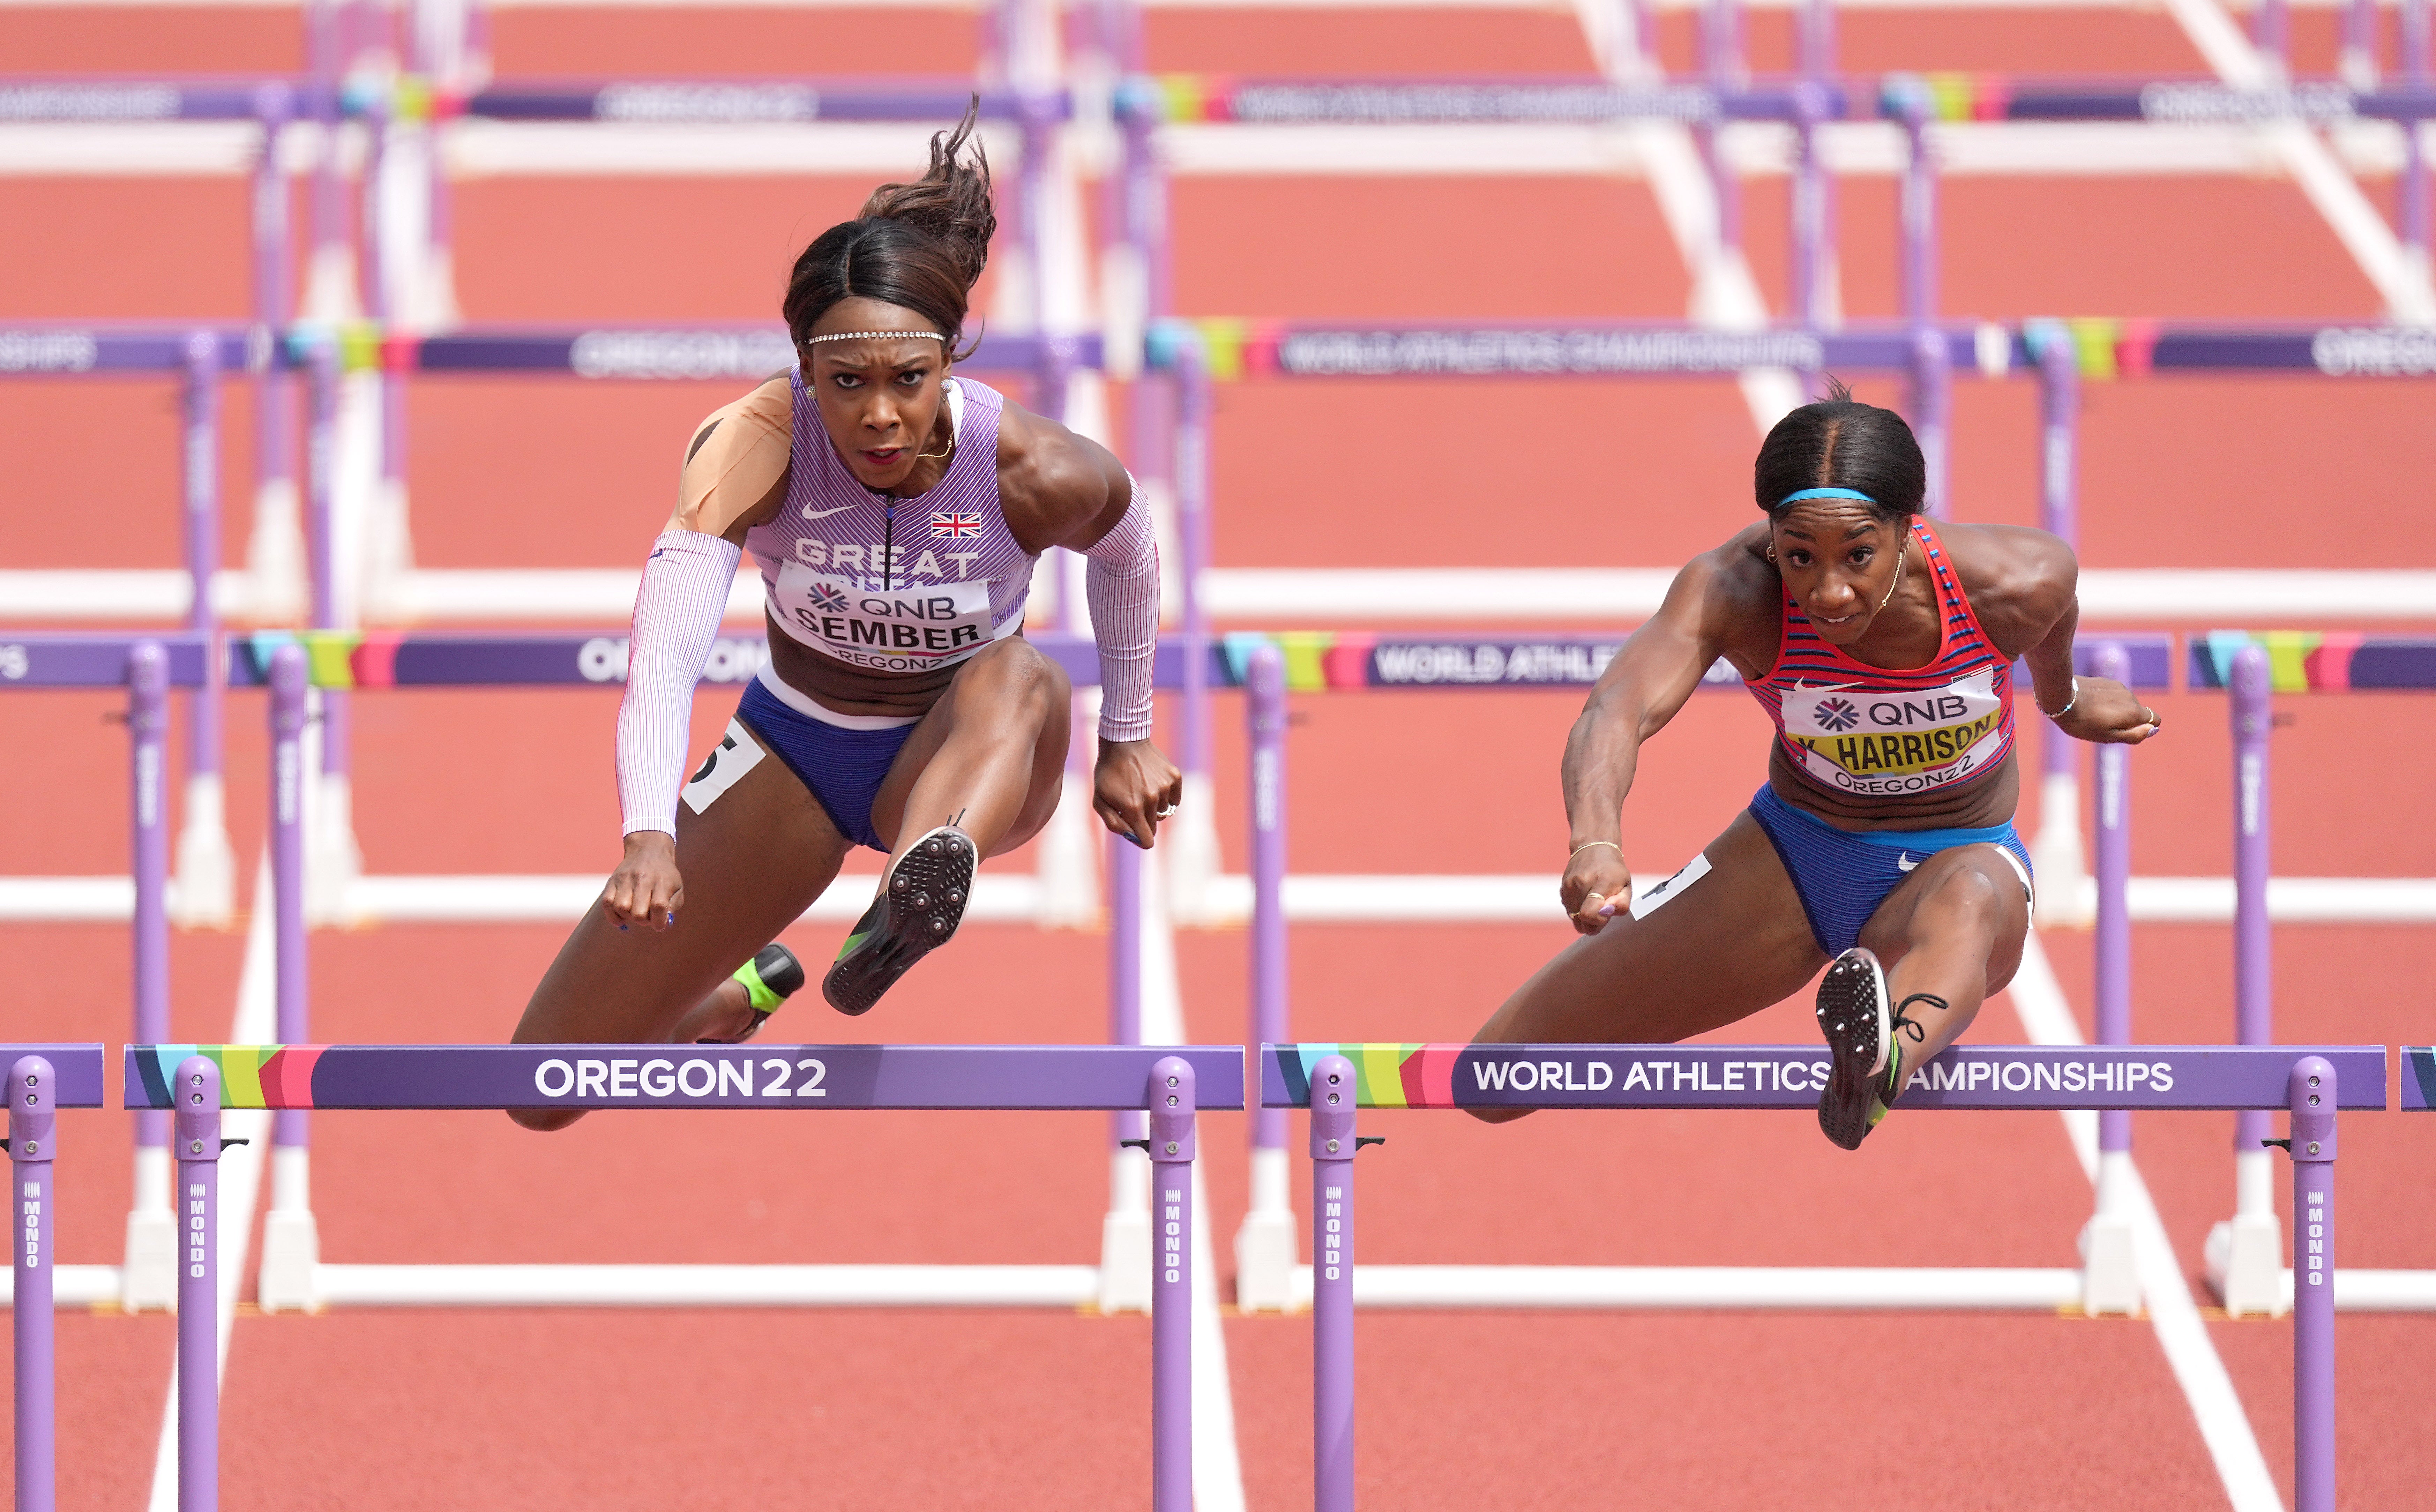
point(1012, 688)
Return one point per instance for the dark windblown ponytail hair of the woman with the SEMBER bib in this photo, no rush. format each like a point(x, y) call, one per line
point(917, 245)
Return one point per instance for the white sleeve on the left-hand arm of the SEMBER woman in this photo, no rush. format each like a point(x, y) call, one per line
point(676, 617)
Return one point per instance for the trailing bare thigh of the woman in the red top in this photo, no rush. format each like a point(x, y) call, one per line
point(1723, 948)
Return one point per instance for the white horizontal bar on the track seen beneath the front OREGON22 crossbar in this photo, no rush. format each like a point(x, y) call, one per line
point(708, 1287)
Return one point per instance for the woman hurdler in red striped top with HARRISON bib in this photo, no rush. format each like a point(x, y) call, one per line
point(1884, 654)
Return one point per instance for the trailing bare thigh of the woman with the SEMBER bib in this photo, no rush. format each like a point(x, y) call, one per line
point(752, 863)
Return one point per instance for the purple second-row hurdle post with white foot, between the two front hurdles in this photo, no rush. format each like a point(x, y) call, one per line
point(1266, 1248)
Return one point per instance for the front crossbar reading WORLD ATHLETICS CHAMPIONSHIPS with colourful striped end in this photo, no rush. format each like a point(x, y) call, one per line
point(1794, 1075)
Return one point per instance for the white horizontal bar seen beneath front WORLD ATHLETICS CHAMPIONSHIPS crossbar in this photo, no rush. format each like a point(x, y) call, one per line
point(1709, 1287)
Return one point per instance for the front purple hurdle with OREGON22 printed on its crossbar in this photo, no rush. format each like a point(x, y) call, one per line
point(1168, 1085)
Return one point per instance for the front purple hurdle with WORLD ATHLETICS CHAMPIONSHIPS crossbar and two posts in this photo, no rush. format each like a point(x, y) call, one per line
point(1334, 1080)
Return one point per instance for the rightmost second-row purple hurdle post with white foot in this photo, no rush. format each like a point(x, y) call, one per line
point(2245, 1255)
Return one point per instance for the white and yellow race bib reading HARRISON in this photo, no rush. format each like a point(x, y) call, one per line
point(1896, 744)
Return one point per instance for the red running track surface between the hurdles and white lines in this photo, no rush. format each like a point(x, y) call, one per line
point(1027, 1411)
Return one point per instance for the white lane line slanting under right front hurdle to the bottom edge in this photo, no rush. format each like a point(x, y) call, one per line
point(2191, 1355)
